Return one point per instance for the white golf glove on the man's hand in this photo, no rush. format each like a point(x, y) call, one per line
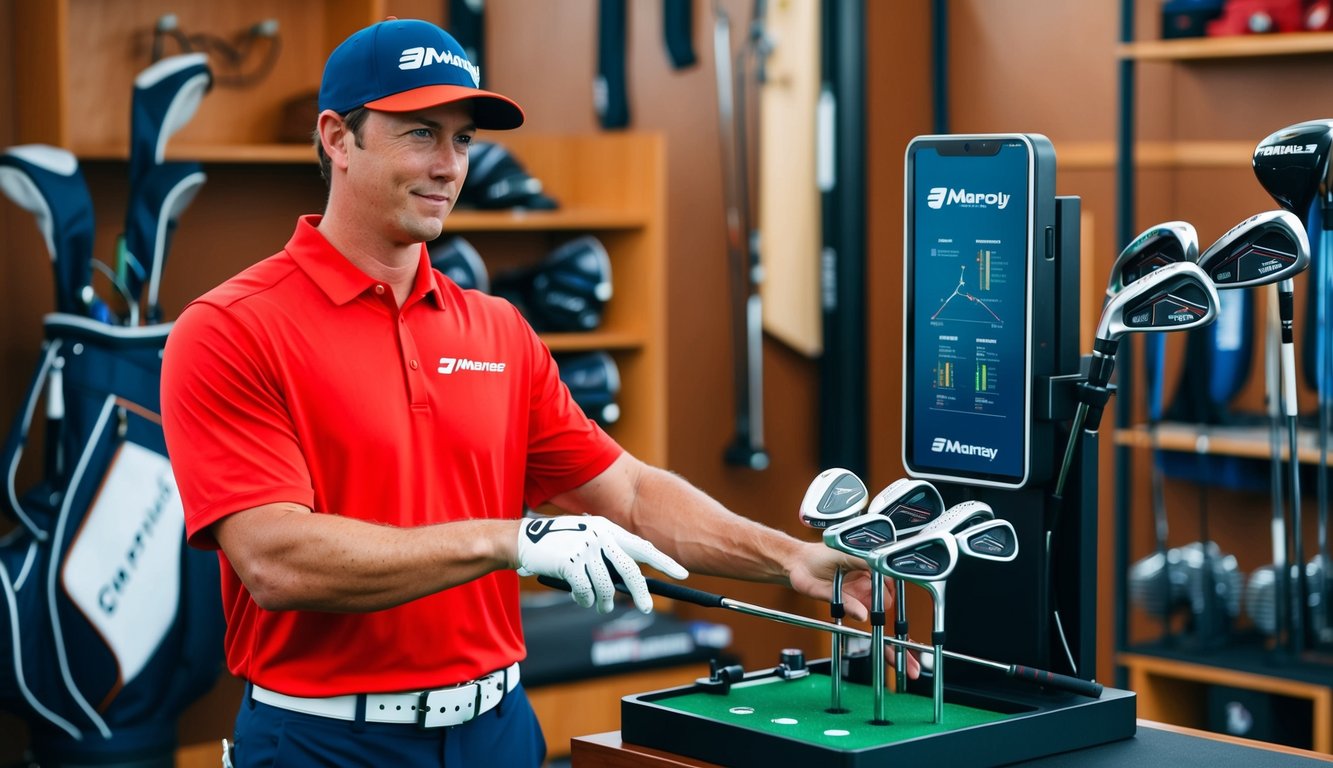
point(579, 550)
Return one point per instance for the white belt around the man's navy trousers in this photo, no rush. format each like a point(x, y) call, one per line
point(437, 709)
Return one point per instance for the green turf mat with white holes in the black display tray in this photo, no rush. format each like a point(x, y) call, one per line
point(796, 710)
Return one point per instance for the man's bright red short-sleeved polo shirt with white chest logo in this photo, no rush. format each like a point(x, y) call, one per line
point(301, 381)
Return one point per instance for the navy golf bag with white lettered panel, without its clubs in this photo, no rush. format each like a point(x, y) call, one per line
point(110, 626)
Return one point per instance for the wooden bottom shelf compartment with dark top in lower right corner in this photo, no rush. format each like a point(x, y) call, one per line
point(1172, 685)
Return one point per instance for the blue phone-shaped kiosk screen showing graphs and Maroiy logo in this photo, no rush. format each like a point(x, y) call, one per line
point(970, 247)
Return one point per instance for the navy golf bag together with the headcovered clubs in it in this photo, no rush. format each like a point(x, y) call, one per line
point(110, 625)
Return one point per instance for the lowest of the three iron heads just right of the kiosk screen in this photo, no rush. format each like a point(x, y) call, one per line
point(1174, 298)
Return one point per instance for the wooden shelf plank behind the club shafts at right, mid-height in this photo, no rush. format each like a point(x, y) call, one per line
point(1248, 442)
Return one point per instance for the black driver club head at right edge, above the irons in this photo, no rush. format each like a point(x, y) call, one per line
point(1292, 165)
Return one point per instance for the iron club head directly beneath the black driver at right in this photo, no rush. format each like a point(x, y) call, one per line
point(1268, 247)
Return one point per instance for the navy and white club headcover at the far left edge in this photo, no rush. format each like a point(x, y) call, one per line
point(47, 183)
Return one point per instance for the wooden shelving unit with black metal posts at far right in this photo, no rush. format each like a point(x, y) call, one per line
point(1174, 686)
